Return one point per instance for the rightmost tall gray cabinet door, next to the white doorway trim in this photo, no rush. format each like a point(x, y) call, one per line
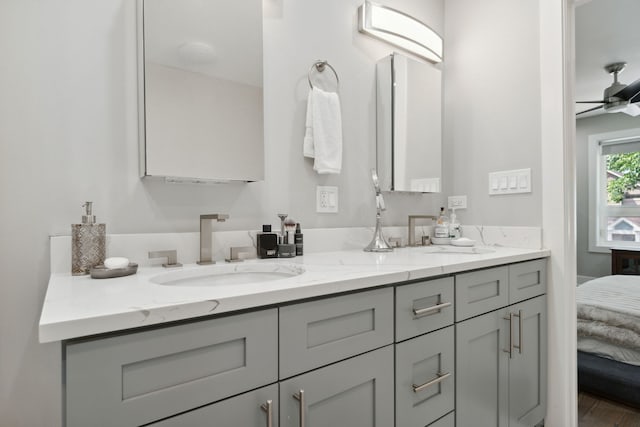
point(528, 367)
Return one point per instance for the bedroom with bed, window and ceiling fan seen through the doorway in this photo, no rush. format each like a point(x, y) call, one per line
point(607, 94)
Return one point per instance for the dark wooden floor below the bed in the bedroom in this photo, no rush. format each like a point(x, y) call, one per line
point(597, 412)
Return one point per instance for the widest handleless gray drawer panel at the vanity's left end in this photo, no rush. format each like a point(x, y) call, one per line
point(141, 377)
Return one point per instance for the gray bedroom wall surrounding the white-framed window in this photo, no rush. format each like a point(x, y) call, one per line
point(592, 263)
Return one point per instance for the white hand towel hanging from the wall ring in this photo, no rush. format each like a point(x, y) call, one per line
point(323, 134)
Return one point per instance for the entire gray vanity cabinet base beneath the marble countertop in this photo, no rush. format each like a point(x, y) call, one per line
point(457, 350)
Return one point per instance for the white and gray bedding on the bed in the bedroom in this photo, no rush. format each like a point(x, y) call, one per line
point(609, 312)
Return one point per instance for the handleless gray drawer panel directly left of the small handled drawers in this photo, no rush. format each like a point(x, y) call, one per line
point(320, 332)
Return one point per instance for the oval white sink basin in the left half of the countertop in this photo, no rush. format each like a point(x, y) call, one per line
point(228, 274)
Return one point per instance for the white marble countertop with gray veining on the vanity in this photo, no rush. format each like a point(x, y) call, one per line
point(77, 306)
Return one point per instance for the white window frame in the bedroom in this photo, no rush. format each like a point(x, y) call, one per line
point(598, 186)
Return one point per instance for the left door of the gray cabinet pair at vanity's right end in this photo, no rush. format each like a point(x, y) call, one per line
point(482, 371)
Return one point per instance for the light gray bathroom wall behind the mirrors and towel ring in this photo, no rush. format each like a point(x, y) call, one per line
point(68, 134)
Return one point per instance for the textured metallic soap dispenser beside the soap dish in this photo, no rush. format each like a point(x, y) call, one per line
point(88, 243)
